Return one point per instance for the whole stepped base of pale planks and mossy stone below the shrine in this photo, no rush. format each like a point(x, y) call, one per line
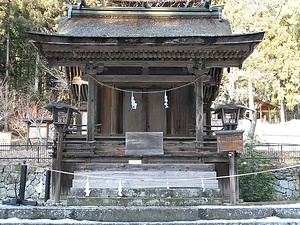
point(114, 184)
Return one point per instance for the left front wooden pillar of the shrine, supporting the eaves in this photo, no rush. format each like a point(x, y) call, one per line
point(91, 108)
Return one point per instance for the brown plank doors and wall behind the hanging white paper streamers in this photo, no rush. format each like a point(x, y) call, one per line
point(117, 117)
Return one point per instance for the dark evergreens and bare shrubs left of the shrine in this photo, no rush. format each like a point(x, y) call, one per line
point(16, 18)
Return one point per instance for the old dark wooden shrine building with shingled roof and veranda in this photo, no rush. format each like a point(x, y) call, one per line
point(169, 61)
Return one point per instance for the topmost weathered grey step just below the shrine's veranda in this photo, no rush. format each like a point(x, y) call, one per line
point(142, 167)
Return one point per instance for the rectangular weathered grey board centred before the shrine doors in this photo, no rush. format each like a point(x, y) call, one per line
point(144, 143)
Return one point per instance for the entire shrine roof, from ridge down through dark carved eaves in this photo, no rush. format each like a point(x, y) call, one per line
point(103, 39)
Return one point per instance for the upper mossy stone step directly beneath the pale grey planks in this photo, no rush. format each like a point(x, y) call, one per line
point(148, 192)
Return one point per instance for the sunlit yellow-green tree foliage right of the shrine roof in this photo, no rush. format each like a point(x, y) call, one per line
point(274, 66)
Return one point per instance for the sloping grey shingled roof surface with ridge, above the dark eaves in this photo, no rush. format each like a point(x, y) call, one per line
point(142, 22)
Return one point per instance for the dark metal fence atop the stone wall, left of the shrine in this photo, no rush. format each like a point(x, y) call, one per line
point(26, 152)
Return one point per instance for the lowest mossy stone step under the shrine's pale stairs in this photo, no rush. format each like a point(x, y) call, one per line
point(131, 201)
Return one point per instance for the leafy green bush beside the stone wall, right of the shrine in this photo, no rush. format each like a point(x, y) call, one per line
point(257, 187)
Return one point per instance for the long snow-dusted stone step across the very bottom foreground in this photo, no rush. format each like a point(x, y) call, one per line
point(264, 214)
